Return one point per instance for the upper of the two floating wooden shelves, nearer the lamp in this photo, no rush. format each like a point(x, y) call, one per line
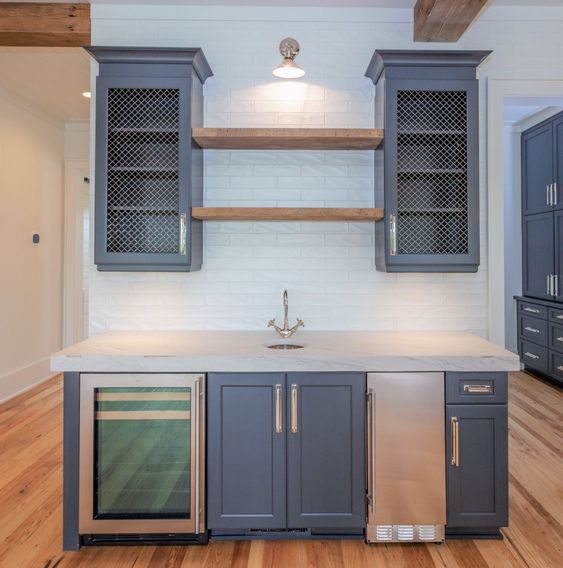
point(288, 138)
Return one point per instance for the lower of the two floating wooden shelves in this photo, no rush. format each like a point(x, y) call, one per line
point(287, 214)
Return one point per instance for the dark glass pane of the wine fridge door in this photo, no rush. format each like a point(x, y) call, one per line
point(142, 452)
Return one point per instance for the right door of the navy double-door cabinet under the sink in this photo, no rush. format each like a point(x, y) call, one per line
point(325, 444)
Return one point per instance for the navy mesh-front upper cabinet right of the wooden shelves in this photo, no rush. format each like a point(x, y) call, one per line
point(427, 173)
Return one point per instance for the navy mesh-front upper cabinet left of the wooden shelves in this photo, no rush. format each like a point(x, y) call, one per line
point(148, 172)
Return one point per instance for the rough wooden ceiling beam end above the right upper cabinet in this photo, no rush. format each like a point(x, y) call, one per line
point(444, 20)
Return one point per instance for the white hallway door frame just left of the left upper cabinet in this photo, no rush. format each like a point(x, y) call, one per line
point(73, 302)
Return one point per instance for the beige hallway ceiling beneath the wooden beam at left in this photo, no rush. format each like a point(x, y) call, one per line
point(49, 78)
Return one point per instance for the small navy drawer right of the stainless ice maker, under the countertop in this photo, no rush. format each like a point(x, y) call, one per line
point(476, 388)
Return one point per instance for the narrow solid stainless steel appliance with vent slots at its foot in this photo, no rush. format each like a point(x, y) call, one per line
point(406, 457)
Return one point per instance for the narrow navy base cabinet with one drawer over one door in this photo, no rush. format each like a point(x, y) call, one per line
point(476, 454)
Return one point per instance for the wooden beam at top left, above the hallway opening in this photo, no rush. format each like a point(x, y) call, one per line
point(37, 24)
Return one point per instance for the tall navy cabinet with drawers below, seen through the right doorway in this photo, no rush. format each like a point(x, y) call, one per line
point(540, 308)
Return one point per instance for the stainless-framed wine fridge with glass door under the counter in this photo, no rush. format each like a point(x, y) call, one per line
point(141, 454)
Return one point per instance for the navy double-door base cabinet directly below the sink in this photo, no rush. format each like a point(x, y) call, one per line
point(286, 454)
